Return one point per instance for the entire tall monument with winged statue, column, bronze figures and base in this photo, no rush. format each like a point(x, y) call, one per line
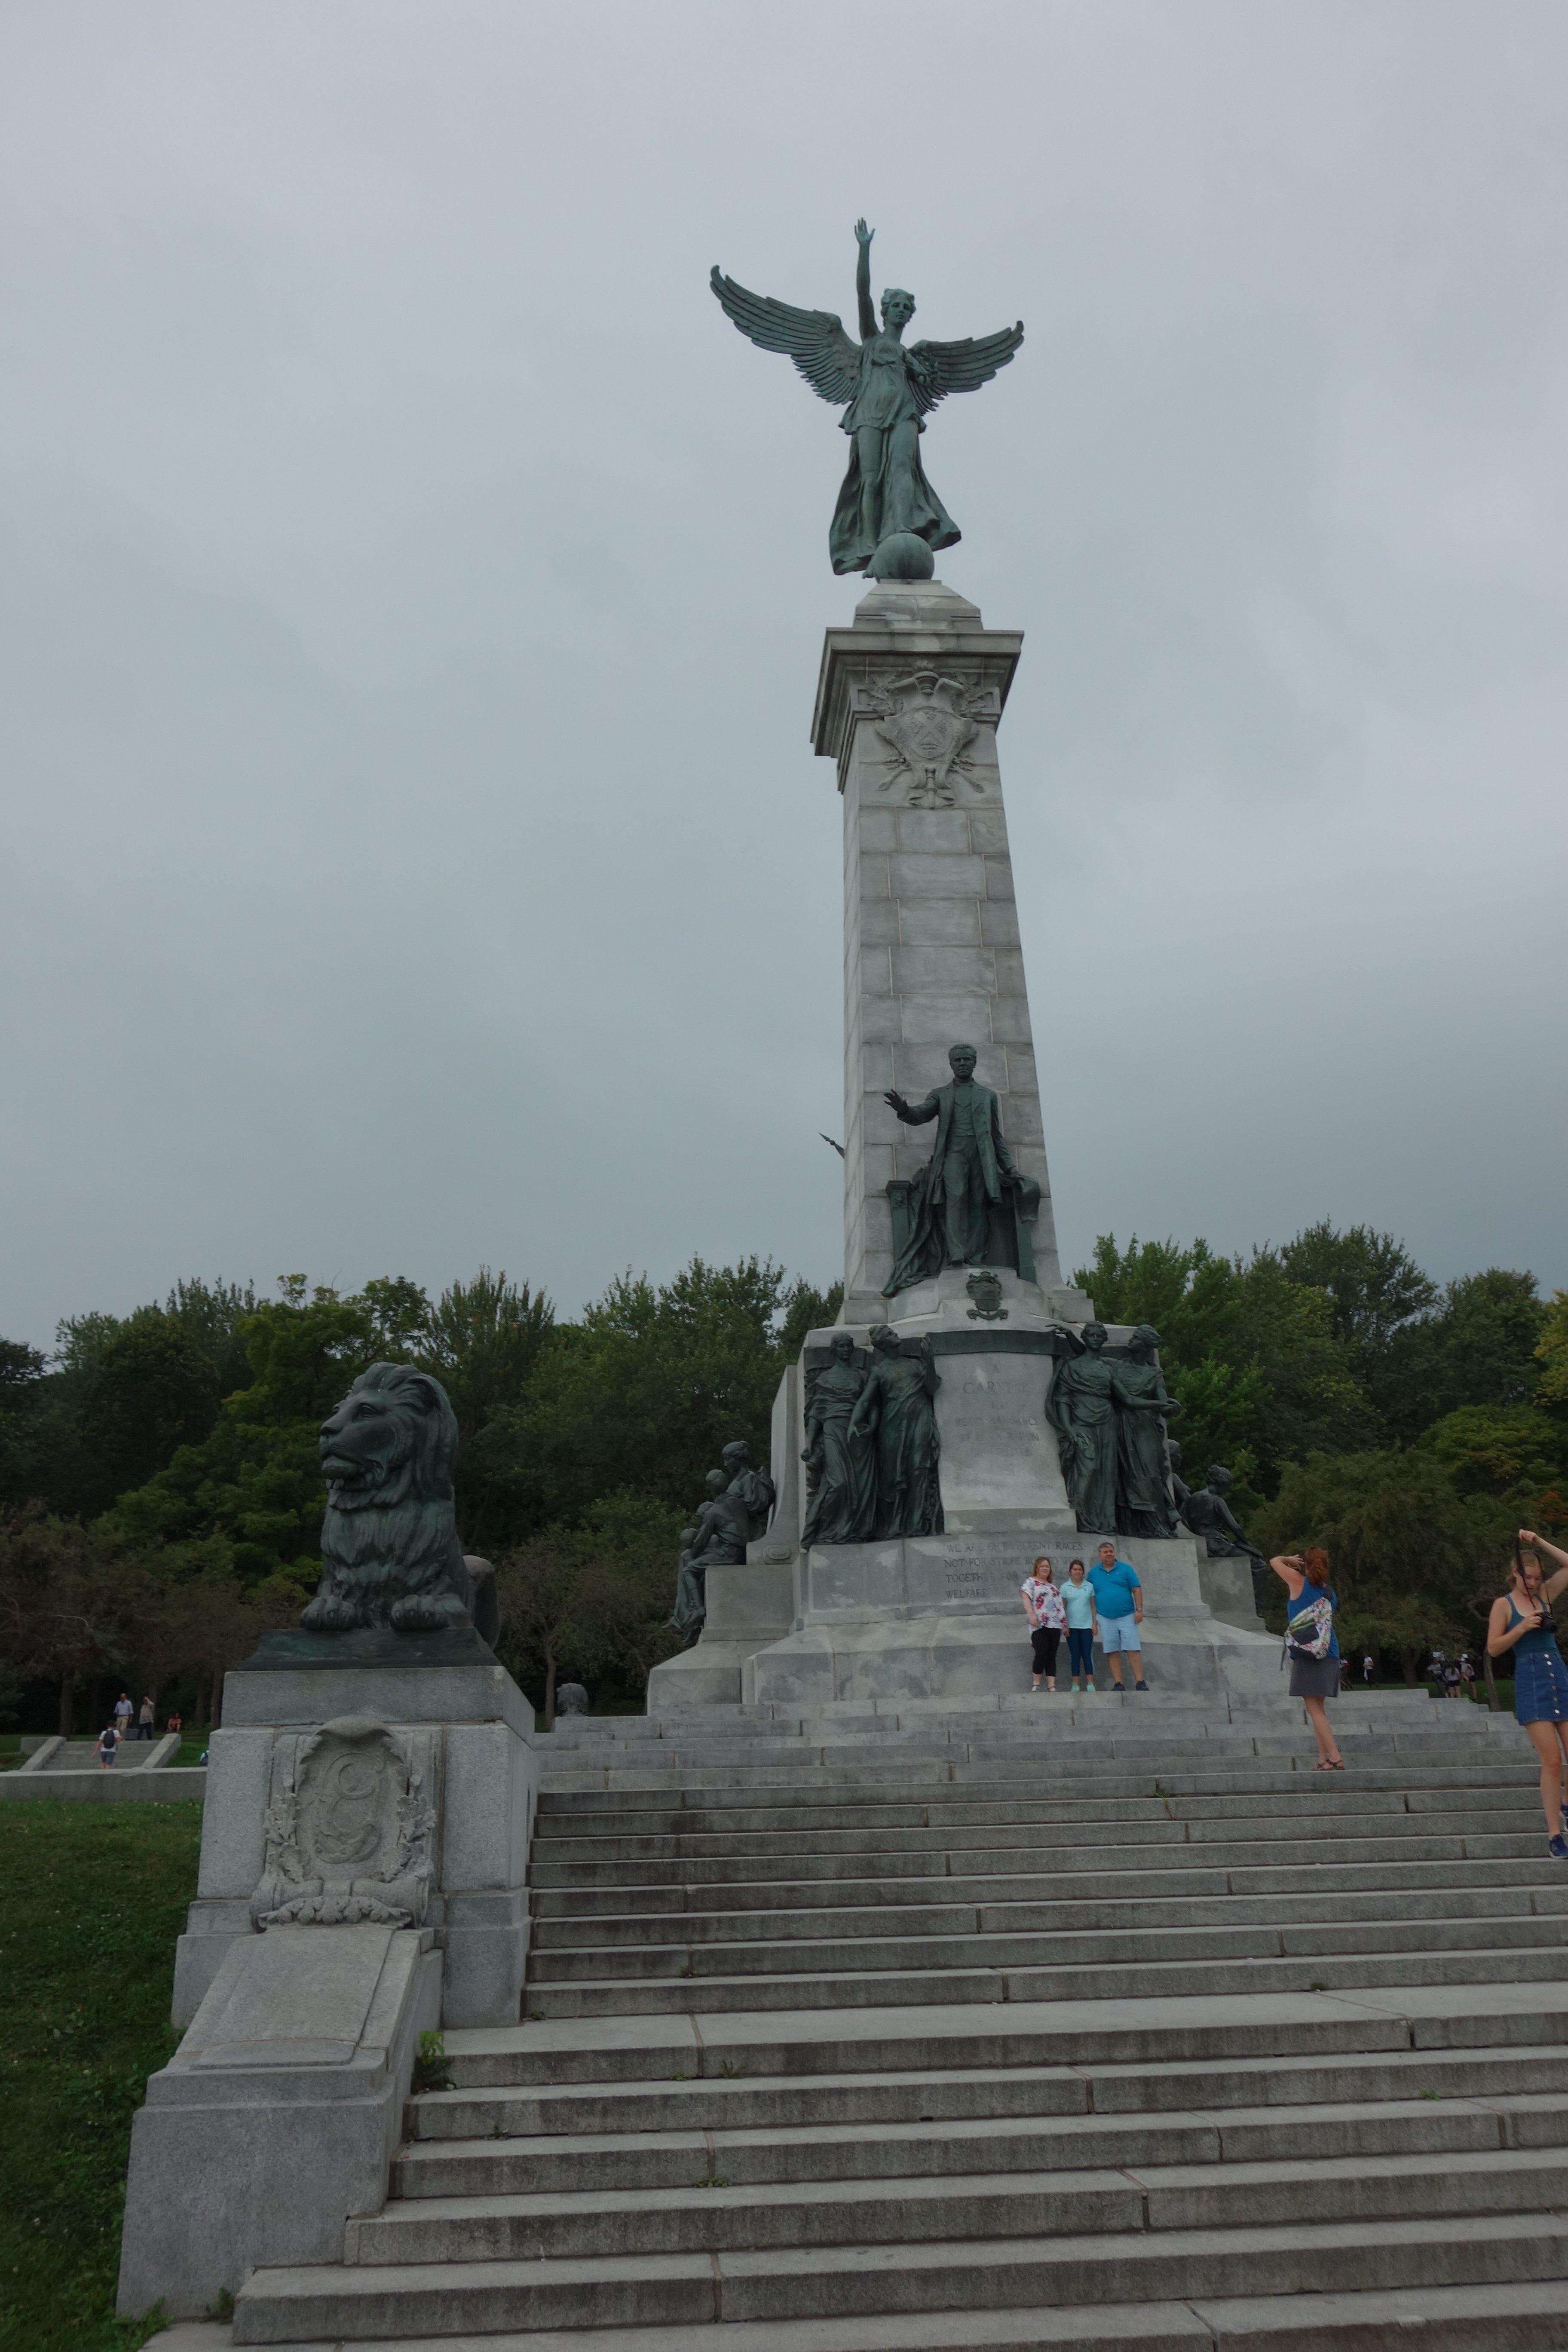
point(1007, 1419)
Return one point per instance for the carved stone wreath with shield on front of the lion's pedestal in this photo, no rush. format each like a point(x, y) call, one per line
point(351, 1831)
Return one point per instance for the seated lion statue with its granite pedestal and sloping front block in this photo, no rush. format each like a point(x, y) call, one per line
point(366, 1840)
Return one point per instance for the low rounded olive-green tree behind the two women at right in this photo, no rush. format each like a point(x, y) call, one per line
point(1412, 1561)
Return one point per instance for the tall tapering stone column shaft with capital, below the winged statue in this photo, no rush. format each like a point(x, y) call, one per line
point(909, 707)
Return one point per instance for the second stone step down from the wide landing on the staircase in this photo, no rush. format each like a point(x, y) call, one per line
point(589, 2165)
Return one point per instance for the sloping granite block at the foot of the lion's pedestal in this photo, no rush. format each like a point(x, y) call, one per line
point(279, 2116)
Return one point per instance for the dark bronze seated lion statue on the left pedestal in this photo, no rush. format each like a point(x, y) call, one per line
point(391, 1549)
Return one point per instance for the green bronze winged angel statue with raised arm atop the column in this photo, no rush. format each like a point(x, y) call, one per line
point(887, 519)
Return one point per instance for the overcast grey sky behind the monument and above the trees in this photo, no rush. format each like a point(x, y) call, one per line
point(413, 596)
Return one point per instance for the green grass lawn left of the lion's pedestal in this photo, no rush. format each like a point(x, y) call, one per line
point(91, 1904)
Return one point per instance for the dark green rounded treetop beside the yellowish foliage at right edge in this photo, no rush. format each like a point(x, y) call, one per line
point(1475, 1349)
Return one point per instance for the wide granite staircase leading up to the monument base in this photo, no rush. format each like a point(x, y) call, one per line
point(1047, 2024)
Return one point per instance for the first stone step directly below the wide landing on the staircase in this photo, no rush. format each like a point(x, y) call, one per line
point(1508, 2085)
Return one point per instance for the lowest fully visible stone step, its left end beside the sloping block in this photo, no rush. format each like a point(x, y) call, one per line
point(845, 2283)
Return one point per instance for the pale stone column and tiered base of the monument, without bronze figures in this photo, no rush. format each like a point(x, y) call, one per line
point(909, 704)
